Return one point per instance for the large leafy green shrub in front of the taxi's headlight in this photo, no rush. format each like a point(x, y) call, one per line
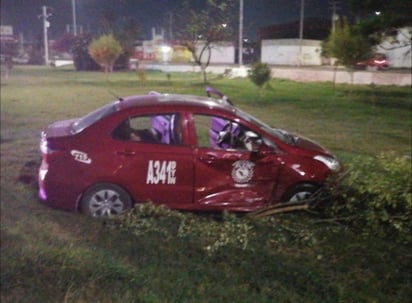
point(377, 196)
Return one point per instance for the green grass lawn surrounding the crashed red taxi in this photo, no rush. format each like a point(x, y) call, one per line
point(52, 256)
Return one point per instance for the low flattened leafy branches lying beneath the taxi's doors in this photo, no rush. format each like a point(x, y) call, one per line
point(210, 235)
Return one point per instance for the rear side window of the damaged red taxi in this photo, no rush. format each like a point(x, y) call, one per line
point(161, 129)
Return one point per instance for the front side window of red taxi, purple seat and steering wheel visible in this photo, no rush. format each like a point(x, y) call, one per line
point(220, 133)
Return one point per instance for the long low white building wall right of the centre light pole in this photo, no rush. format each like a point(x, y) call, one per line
point(291, 52)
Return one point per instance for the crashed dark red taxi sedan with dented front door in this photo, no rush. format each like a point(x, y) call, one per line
point(186, 152)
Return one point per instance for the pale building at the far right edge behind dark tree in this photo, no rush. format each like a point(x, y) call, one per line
point(398, 49)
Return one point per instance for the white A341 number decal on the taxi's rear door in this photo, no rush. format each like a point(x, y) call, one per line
point(161, 172)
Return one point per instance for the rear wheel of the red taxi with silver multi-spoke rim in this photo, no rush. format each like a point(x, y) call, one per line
point(105, 200)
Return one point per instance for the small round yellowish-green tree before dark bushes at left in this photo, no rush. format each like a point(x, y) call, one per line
point(105, 50)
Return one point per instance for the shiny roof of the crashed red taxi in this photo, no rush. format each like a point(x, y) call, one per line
point(172, 100)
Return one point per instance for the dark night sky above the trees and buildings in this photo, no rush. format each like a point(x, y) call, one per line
point(23, 14)
